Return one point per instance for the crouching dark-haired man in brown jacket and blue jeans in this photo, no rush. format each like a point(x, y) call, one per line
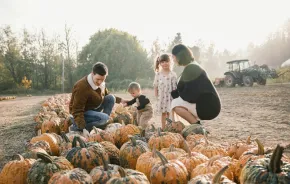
point(91, 104)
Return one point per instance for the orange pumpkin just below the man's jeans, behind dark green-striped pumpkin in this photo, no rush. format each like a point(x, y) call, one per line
point(100, 135)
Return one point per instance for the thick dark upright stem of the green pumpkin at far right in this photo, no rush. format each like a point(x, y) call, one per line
point(275, 161)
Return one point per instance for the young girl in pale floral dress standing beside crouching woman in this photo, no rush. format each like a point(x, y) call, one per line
point(164, 82)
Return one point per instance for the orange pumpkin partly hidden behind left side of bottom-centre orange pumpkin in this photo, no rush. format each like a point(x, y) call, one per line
point(146, 161)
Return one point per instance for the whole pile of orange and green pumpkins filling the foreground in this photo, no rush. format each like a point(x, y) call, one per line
point(125, 153)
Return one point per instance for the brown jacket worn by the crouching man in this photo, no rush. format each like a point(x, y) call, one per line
point(84, 98)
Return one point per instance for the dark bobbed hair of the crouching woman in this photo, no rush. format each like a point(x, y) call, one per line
point(183, 54)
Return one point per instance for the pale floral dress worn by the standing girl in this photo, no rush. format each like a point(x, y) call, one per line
point(165, 84)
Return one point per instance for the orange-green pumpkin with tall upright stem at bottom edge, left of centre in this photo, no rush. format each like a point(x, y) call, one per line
point(101, 174)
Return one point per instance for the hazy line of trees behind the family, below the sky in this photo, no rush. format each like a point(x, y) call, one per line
point(43, 59)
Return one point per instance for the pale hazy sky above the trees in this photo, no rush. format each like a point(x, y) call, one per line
point(231, 24)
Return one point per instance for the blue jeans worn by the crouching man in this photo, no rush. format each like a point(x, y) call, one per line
point(96, 117)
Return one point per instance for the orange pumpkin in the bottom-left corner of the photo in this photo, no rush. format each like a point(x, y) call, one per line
point(15, 171)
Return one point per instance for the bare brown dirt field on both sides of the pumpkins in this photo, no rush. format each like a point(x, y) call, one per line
point(261, 111)
